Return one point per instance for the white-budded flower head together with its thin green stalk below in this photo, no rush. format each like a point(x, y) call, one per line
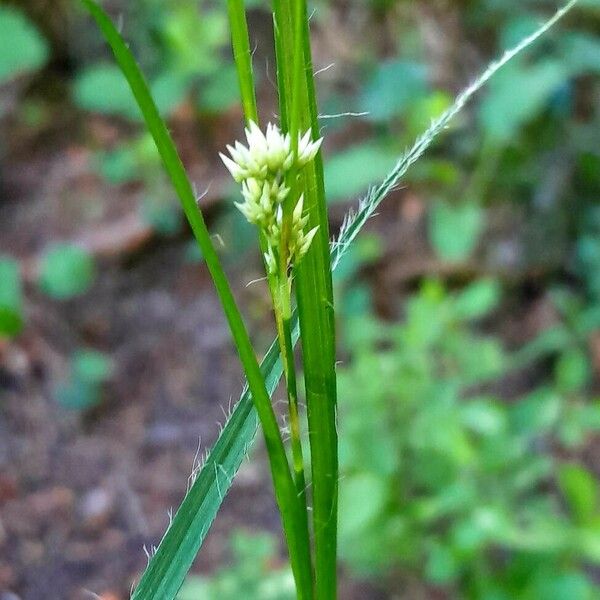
point(269, 171)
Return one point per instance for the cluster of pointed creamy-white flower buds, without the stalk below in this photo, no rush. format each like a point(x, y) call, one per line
point(261, 168)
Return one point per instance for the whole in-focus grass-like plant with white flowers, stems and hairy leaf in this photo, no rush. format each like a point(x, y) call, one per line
point(281, 177)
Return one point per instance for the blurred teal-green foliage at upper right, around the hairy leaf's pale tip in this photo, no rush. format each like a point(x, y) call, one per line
point(508, 154)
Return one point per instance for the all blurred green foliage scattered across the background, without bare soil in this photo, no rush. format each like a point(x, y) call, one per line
point(444, 478)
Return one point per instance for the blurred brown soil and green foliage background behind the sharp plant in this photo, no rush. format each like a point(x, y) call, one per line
point(468, 313)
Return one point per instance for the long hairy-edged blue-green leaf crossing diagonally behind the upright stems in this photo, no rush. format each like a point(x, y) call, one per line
point(168, 567)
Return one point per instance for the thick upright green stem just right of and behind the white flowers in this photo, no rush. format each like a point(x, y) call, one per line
point(315, 297)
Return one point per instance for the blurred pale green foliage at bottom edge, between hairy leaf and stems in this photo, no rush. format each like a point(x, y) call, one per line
point(252, 574)
